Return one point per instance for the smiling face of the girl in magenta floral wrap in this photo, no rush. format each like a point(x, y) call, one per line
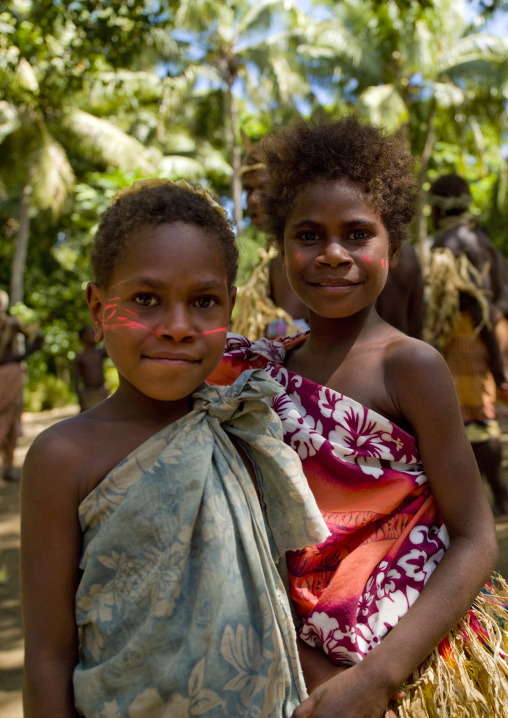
point(336, 249)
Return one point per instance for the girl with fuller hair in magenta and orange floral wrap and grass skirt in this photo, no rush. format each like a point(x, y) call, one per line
point(374, 417)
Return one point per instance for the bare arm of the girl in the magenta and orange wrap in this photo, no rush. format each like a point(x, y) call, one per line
point(425, 394)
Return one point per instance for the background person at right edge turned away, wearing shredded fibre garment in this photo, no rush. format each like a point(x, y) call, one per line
point(464, 280)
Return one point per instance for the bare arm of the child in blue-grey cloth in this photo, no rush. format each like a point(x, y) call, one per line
point(50, 550)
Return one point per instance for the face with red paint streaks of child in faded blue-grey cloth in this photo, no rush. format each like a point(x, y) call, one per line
point(165, 313)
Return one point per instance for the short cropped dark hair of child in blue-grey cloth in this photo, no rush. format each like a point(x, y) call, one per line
point(124, 221)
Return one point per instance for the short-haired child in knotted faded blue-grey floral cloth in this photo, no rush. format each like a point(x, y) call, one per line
point(148, 574)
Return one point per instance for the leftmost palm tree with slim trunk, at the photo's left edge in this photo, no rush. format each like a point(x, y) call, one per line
point(42, 132)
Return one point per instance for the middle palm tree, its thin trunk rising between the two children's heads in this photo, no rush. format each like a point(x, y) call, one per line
point(241, 49)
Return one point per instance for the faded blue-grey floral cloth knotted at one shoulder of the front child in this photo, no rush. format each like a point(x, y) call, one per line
point(180, 609)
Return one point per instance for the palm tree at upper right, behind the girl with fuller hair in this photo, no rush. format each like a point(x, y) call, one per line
point(404, 65)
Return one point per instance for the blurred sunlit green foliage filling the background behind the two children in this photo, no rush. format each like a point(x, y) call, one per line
point(96, 94)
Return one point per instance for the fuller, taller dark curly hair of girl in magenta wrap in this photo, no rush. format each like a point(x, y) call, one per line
point(377, 162)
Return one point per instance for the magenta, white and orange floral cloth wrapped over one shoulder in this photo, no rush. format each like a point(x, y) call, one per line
point(351, 589)
